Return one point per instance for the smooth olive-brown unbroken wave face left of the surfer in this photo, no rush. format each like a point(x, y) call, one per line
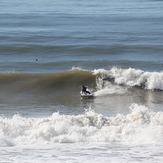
point(51, 83)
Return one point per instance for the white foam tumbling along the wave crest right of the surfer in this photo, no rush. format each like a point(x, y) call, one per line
point(133, 77)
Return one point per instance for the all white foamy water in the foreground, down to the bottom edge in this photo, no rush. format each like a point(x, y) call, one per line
point(86, 135)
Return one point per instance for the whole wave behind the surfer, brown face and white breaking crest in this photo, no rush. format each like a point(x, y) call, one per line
point(102, 81)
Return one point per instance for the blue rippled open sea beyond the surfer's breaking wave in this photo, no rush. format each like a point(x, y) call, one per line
point(89, 34)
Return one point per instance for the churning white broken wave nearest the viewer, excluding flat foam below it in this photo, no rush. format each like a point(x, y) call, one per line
point(138, 127)
